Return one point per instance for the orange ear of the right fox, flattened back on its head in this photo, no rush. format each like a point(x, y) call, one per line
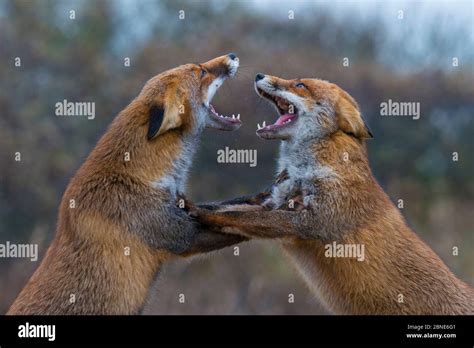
point(350, 120)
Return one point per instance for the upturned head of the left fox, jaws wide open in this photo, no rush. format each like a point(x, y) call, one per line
point(180, 98)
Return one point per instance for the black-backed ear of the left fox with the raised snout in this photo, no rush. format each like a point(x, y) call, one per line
point(162, 120)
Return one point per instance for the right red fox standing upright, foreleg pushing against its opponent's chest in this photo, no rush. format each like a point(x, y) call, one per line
point(324, 169)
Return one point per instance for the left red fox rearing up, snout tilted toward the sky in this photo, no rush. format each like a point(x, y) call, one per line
point(118, 221)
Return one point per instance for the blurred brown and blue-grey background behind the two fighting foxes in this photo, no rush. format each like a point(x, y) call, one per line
point(82, 59)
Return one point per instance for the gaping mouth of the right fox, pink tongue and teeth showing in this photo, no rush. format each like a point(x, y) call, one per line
point(288, 113)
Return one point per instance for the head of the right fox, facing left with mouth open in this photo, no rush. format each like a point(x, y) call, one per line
point(309, 108)
